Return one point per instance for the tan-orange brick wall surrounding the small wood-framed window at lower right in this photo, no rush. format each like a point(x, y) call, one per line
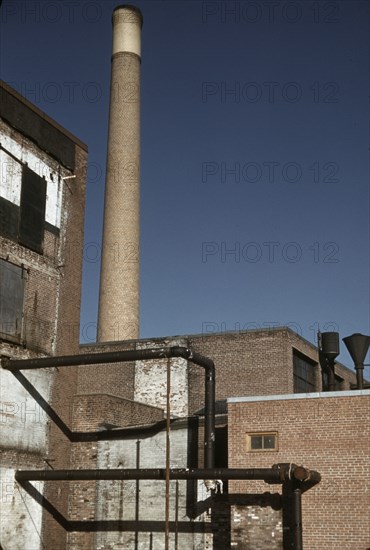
point(327, 434)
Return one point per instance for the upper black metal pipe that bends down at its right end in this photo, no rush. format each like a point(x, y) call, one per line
point(123, 356)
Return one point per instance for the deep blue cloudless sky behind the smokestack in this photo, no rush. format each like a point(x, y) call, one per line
point(255, 180)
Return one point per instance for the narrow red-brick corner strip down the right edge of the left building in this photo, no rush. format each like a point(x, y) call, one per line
point(67, 341)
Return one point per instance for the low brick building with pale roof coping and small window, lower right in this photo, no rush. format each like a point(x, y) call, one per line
point(326, 431)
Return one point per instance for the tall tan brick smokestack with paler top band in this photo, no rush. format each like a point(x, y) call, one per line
point(119, 279)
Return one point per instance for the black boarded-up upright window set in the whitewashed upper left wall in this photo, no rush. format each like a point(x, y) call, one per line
point(32, 215)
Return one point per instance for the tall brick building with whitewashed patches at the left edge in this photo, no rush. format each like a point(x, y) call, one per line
point(41, 240)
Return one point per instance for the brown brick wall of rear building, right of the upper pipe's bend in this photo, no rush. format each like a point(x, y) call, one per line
point(247, 363)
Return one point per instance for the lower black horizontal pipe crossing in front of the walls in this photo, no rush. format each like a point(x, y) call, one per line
point(275, 473)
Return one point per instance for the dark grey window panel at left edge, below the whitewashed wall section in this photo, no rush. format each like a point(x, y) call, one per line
point(11, 301)
